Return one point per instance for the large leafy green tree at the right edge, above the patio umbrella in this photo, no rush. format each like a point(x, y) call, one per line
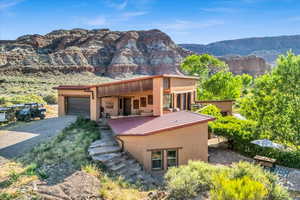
point(274, 102)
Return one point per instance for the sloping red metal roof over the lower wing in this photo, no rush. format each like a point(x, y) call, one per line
point(139, 126)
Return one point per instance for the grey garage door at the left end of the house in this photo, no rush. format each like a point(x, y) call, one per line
point(78, 106)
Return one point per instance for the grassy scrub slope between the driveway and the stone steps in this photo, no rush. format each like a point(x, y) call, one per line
point(68, 149)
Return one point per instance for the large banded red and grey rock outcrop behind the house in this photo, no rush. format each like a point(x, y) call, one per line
point(101, 51)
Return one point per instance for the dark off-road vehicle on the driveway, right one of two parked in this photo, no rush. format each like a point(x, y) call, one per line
point(31, 111)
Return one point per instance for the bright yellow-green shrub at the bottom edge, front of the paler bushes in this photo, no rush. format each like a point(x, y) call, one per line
point(237, 189)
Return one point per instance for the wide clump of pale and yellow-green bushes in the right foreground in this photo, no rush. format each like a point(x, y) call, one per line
point(241, 181)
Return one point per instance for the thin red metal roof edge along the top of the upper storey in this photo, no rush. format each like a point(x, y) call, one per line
point(80, 87)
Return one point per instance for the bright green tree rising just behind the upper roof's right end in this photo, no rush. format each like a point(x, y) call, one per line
point(202, 65)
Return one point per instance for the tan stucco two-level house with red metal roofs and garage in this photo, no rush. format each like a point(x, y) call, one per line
point(149, 116)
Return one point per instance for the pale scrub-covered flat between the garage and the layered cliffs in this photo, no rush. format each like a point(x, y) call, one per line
point(19, 88)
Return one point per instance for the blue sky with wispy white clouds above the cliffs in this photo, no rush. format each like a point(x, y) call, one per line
point(186, 21)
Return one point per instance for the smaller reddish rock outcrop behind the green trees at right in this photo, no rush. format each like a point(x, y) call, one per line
point(252, 65)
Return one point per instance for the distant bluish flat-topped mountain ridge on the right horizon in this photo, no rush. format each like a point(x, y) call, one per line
point(265, 47)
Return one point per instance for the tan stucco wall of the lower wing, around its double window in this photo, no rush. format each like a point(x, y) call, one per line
point(192, 141)
